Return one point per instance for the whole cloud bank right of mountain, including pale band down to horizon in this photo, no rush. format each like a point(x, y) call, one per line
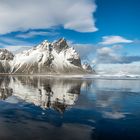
point(109, 60)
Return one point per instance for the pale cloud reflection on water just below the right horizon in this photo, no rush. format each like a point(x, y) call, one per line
point(110, 87)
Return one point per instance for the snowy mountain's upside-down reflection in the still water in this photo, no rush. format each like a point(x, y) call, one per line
point(46, 93)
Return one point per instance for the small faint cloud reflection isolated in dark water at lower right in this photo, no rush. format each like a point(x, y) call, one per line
point(114, 115)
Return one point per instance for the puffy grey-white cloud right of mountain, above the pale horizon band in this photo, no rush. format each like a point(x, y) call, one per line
point(113, 55)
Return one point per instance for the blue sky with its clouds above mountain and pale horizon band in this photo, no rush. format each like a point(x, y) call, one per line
point(103, 31)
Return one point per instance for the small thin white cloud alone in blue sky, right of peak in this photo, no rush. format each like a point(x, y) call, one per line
point(108, 40)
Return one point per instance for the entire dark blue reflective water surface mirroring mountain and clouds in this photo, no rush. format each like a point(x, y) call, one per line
point(42, 108)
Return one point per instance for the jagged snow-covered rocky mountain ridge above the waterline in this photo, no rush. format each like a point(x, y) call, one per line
point(56, 57)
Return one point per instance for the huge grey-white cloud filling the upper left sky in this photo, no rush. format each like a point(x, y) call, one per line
point(19, 15)
